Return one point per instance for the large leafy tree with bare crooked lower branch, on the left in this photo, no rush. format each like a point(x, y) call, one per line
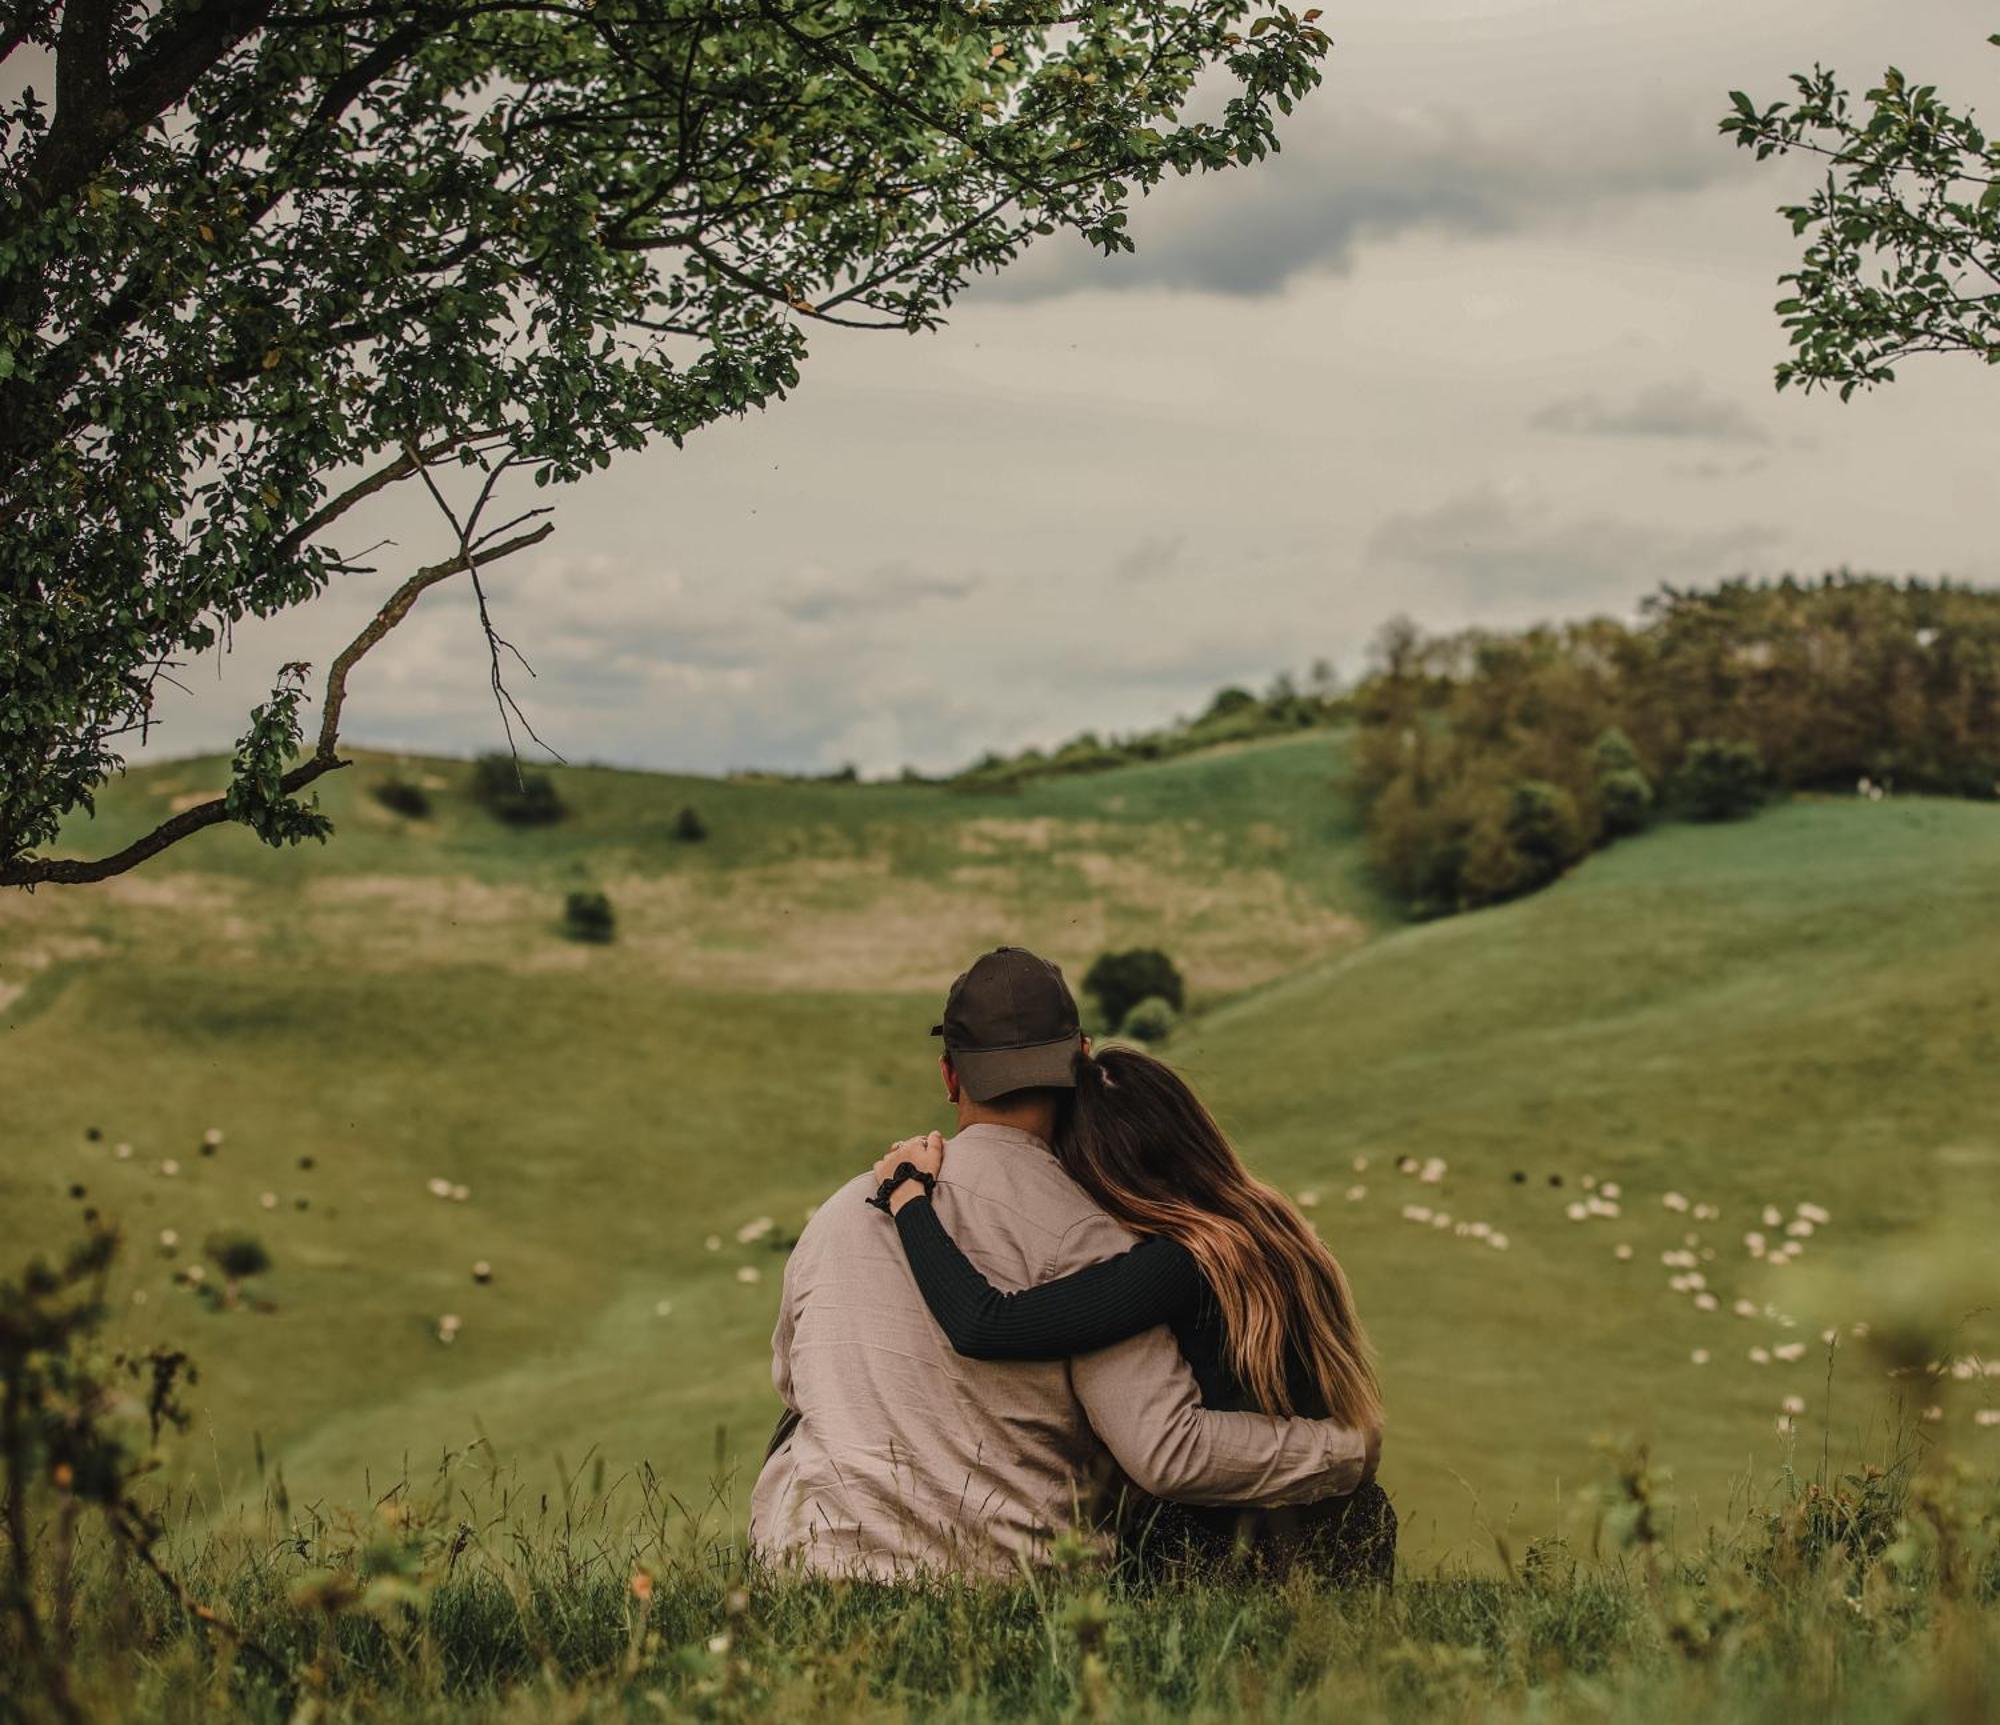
point(263, 261)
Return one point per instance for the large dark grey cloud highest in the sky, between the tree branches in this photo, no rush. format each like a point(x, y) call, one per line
point(1351, 177)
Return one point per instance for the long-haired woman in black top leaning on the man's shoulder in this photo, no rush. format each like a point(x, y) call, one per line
point(1257, 1302)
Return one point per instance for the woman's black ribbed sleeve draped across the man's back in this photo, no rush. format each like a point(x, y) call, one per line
point(1093, 1308)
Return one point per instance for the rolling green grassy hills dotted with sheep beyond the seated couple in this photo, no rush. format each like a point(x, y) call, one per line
point(1795, 1010)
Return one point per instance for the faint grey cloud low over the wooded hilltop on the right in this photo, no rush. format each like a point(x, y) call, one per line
point(1487, 541)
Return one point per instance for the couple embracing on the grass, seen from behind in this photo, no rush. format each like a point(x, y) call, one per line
point(1077, 1314)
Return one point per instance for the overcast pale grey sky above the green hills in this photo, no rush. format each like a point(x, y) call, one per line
point(1489, 343)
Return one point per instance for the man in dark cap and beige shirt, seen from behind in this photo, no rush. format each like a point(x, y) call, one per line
point(897, 1454)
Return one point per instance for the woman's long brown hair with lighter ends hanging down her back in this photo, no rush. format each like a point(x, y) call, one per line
point(1145, 1148)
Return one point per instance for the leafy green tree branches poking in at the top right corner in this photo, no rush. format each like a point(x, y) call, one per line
point(1903, 237)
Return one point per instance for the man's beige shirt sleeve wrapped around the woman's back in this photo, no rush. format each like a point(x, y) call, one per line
point(1145, 1406)
